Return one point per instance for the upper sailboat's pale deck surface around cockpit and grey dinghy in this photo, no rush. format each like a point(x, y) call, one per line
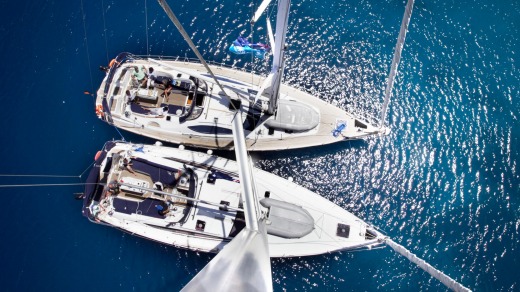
point(216, 113)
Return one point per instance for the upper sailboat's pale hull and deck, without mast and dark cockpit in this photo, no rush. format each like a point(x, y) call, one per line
point(212, 128)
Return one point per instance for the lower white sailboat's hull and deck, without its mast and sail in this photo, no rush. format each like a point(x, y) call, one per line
point(193, 200)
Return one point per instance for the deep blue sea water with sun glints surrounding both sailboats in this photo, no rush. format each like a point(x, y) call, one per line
point(444, 183)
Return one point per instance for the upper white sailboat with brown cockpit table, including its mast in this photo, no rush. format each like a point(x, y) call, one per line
point(195, 109)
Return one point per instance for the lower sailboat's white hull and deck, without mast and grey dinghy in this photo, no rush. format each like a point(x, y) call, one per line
point(220, 226)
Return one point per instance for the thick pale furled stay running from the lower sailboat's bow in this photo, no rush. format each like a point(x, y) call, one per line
point(445, 279)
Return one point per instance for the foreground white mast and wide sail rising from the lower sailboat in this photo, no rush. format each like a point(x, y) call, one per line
point(244, 264)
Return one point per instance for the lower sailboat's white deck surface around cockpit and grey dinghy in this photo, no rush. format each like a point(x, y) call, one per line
point(218, 224)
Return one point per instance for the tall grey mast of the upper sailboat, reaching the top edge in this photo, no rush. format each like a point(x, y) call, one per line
point(282, 19)
